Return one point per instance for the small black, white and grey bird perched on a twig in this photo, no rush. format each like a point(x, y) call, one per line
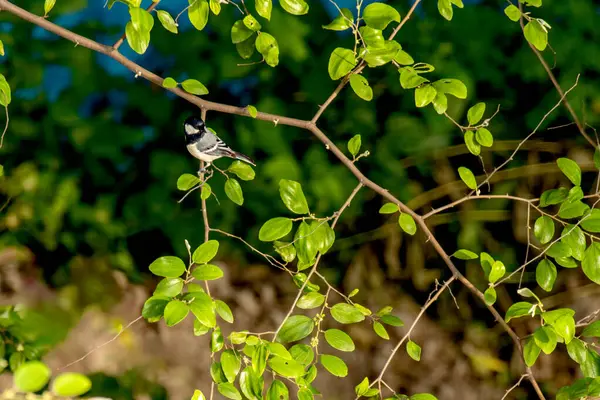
point(206, 146)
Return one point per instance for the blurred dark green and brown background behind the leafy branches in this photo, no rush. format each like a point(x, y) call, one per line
point(92, 156)
